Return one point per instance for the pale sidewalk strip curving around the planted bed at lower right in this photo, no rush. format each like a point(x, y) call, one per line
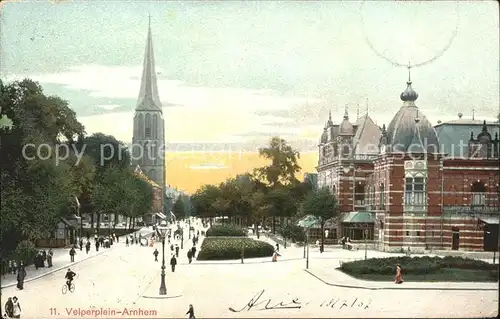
point(334, 277)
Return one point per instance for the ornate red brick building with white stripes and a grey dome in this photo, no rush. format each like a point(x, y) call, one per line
point(413, 184)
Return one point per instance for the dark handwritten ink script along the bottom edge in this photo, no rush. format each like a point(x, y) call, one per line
point(257, 302)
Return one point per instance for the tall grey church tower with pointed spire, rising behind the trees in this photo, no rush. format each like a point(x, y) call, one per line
point(148, 141)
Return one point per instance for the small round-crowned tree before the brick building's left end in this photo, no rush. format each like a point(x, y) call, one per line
point(323, 205)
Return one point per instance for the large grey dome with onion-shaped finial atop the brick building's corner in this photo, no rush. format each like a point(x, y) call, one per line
point(410, 130)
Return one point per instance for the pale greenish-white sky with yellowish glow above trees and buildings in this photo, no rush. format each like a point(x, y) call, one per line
point(232, 74)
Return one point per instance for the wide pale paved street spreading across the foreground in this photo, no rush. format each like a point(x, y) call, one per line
point(128, 278)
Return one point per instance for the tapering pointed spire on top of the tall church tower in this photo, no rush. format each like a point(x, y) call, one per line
point(149, 99)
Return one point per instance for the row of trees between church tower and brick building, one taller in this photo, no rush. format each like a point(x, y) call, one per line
point(268, 192)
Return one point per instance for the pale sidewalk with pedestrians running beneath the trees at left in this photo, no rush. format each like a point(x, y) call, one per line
point(61, 260)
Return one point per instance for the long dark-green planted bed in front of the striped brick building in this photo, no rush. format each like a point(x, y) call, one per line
point(426, 268)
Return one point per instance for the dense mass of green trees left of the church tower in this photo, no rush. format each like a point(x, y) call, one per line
point(48, 162)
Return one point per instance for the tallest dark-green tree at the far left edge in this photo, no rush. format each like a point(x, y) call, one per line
point(35, 192)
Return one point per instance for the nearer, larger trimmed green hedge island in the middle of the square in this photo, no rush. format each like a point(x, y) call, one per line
point(231, 248)
